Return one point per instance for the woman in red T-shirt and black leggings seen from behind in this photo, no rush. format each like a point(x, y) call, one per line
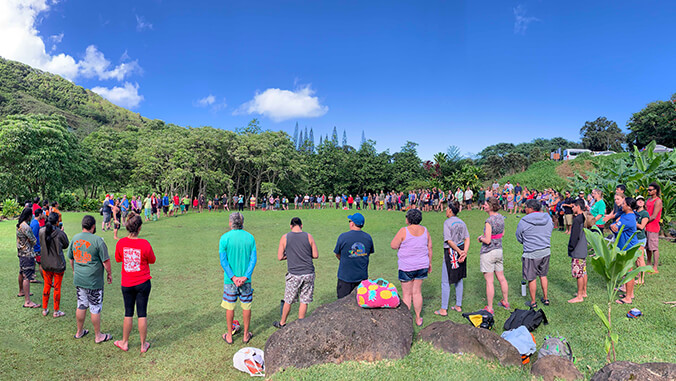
point(135, 254)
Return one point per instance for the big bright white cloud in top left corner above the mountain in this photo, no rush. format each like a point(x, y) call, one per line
point(20, 41)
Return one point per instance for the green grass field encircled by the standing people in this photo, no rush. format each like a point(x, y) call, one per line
point(186, 321)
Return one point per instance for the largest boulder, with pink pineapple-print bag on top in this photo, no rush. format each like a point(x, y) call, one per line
point(341, 331)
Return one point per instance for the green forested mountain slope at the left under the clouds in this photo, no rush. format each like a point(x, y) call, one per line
point(26, 90)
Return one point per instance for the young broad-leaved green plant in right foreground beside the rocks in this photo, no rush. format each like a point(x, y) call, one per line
point(614, 264)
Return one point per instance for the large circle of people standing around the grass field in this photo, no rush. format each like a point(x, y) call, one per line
point(41, 240)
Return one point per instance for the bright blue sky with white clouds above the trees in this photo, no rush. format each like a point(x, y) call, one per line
point(439, 73)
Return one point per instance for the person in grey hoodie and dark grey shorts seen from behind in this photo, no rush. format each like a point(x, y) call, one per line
point(534, 231)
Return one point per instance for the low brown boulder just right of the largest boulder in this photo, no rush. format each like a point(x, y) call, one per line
point(463, 338)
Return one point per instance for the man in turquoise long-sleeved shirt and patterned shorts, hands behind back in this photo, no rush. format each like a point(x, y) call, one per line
point(237, 250)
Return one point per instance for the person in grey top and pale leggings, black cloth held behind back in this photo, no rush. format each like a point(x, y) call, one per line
point(454, 268)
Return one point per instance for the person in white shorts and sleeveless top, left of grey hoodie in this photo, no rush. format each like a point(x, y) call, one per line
point(490, 258)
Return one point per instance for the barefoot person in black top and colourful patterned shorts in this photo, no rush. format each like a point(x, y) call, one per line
point(577, 250)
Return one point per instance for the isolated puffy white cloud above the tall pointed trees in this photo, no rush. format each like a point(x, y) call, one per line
point(279, 105)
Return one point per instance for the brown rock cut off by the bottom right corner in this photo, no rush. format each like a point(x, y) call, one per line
point(626, 370)
